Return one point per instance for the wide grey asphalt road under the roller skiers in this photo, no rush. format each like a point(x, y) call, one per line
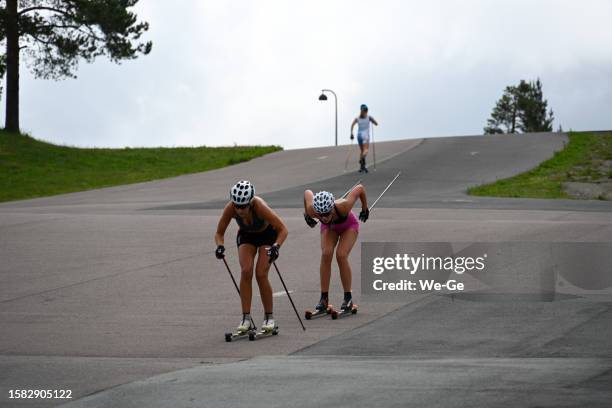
point(110, 292)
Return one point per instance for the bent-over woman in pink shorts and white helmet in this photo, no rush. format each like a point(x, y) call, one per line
point(339, 231)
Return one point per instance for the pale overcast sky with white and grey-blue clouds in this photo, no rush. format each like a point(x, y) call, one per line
point(250, 72)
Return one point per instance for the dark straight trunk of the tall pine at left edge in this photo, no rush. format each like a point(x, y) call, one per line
point(12, 67)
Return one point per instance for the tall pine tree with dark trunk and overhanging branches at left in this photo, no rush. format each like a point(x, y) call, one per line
point(55, 34)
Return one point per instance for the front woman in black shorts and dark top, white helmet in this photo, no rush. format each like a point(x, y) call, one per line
point(262, 232)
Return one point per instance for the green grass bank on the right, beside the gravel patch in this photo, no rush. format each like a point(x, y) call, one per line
point(586, 158)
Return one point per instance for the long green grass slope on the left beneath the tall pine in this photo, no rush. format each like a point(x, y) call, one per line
point(31, 168)
